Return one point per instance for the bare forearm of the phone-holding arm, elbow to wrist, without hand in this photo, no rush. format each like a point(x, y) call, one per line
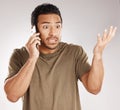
point(16, 86)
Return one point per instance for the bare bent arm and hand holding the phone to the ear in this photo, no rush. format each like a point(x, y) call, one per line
point(16, 86)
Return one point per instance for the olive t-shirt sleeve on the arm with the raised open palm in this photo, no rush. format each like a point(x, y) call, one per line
point(82, 64)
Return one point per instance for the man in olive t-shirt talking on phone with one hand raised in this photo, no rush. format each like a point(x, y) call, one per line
point(45, 72)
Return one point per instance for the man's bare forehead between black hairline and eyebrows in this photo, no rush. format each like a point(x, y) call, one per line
point(49, 18)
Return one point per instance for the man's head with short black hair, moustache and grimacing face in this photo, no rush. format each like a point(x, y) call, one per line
point(48, 22)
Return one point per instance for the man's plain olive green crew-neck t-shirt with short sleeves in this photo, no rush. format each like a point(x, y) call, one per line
point(54, 82)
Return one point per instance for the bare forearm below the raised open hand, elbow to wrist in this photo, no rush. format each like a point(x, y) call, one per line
point(96, 74)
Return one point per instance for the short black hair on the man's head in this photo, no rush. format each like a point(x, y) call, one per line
point(45, 8)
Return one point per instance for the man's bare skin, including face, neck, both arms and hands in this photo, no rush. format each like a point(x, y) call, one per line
point(49, 27)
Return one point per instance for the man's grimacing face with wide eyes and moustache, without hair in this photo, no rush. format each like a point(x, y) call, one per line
point(49, 26)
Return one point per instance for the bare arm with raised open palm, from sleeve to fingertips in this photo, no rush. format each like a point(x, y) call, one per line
point(94, 78)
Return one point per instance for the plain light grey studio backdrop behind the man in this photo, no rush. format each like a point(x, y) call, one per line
point(82, 21)
